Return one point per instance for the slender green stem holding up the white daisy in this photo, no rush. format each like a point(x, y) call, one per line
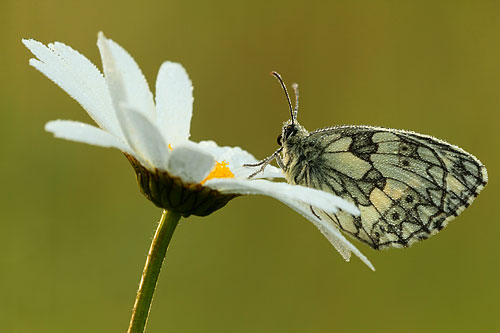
point(151, 271)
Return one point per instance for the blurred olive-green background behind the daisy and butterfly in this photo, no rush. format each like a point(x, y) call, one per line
point(75, 229)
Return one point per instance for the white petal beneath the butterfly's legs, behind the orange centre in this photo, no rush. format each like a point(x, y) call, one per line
point(237, 157)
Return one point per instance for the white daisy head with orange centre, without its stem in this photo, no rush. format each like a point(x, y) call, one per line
point(154, 135)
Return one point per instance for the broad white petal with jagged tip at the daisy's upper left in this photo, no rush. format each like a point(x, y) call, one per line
point(76, 75)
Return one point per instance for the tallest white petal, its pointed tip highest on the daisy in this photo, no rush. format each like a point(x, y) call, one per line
point(125, 80)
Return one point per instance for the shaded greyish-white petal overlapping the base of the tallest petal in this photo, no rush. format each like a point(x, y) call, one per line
point(144, 138)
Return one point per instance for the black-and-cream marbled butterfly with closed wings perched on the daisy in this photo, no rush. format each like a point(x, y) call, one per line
point(407, 186)
